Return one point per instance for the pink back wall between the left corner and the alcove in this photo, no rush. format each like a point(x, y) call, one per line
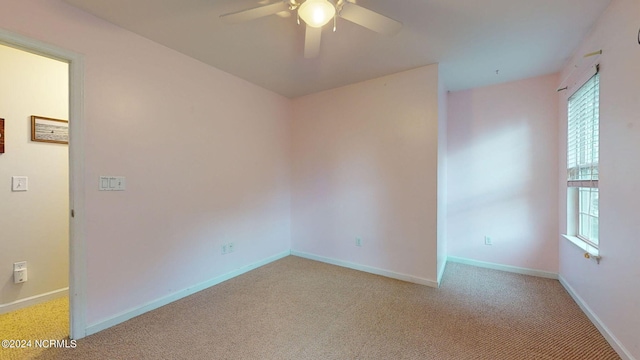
point(365, 165)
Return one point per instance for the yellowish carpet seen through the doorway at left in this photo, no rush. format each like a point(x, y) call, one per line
point(49, 320)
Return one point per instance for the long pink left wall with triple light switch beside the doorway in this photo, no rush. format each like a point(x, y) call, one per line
point(205, 154)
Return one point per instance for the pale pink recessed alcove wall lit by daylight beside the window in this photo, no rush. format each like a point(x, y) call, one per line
point(502, 173)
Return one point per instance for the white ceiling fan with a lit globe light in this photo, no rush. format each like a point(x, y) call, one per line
point(316, 14)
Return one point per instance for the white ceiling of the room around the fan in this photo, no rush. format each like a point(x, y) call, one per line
point(470, 39)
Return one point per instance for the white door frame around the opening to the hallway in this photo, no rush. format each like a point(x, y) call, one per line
point(77, 260)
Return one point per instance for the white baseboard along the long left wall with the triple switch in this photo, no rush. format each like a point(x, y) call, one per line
point(122, 317)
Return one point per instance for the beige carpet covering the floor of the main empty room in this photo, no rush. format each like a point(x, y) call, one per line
point(300, 309)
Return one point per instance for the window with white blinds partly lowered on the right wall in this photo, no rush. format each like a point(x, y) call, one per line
point(582, 162)
